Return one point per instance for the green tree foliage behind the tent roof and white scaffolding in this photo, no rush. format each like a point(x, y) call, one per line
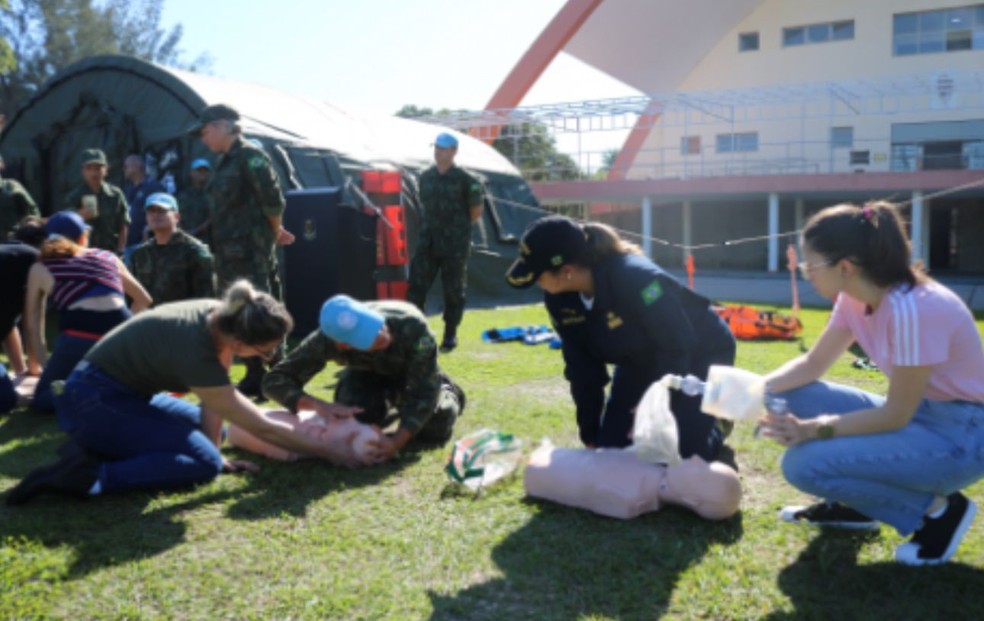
point(529, 147)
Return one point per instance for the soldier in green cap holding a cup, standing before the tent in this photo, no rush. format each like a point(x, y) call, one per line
point(100, 203)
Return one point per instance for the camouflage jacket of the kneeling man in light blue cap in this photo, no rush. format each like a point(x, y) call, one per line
point(411, 357)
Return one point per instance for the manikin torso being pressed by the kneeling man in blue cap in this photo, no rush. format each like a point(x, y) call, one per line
point(310, 424)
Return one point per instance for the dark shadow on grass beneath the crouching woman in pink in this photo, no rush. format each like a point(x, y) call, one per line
point(826, 582)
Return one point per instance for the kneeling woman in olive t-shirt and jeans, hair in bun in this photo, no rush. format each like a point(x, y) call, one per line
point(128, 436)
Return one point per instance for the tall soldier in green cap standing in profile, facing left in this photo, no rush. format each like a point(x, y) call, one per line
point(246, 219)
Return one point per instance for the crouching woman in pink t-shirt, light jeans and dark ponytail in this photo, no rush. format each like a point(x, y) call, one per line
point(901, 459)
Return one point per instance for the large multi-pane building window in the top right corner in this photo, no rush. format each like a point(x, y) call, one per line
point(943, 30)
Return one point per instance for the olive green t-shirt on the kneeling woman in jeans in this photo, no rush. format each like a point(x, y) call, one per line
point(166, 348)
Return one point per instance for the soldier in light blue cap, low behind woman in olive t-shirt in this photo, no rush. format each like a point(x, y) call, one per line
point(172, 265)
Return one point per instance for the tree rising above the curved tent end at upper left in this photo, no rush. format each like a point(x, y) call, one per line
point(46, 36)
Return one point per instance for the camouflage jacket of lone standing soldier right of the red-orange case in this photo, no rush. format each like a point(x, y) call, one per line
point(447, 200)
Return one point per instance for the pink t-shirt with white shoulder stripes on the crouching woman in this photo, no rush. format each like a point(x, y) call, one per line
point(927, 326)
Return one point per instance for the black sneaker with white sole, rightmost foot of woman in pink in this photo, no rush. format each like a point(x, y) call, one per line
point(939, 538)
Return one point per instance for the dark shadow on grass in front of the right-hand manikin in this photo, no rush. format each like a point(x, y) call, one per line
point(566, 564)
